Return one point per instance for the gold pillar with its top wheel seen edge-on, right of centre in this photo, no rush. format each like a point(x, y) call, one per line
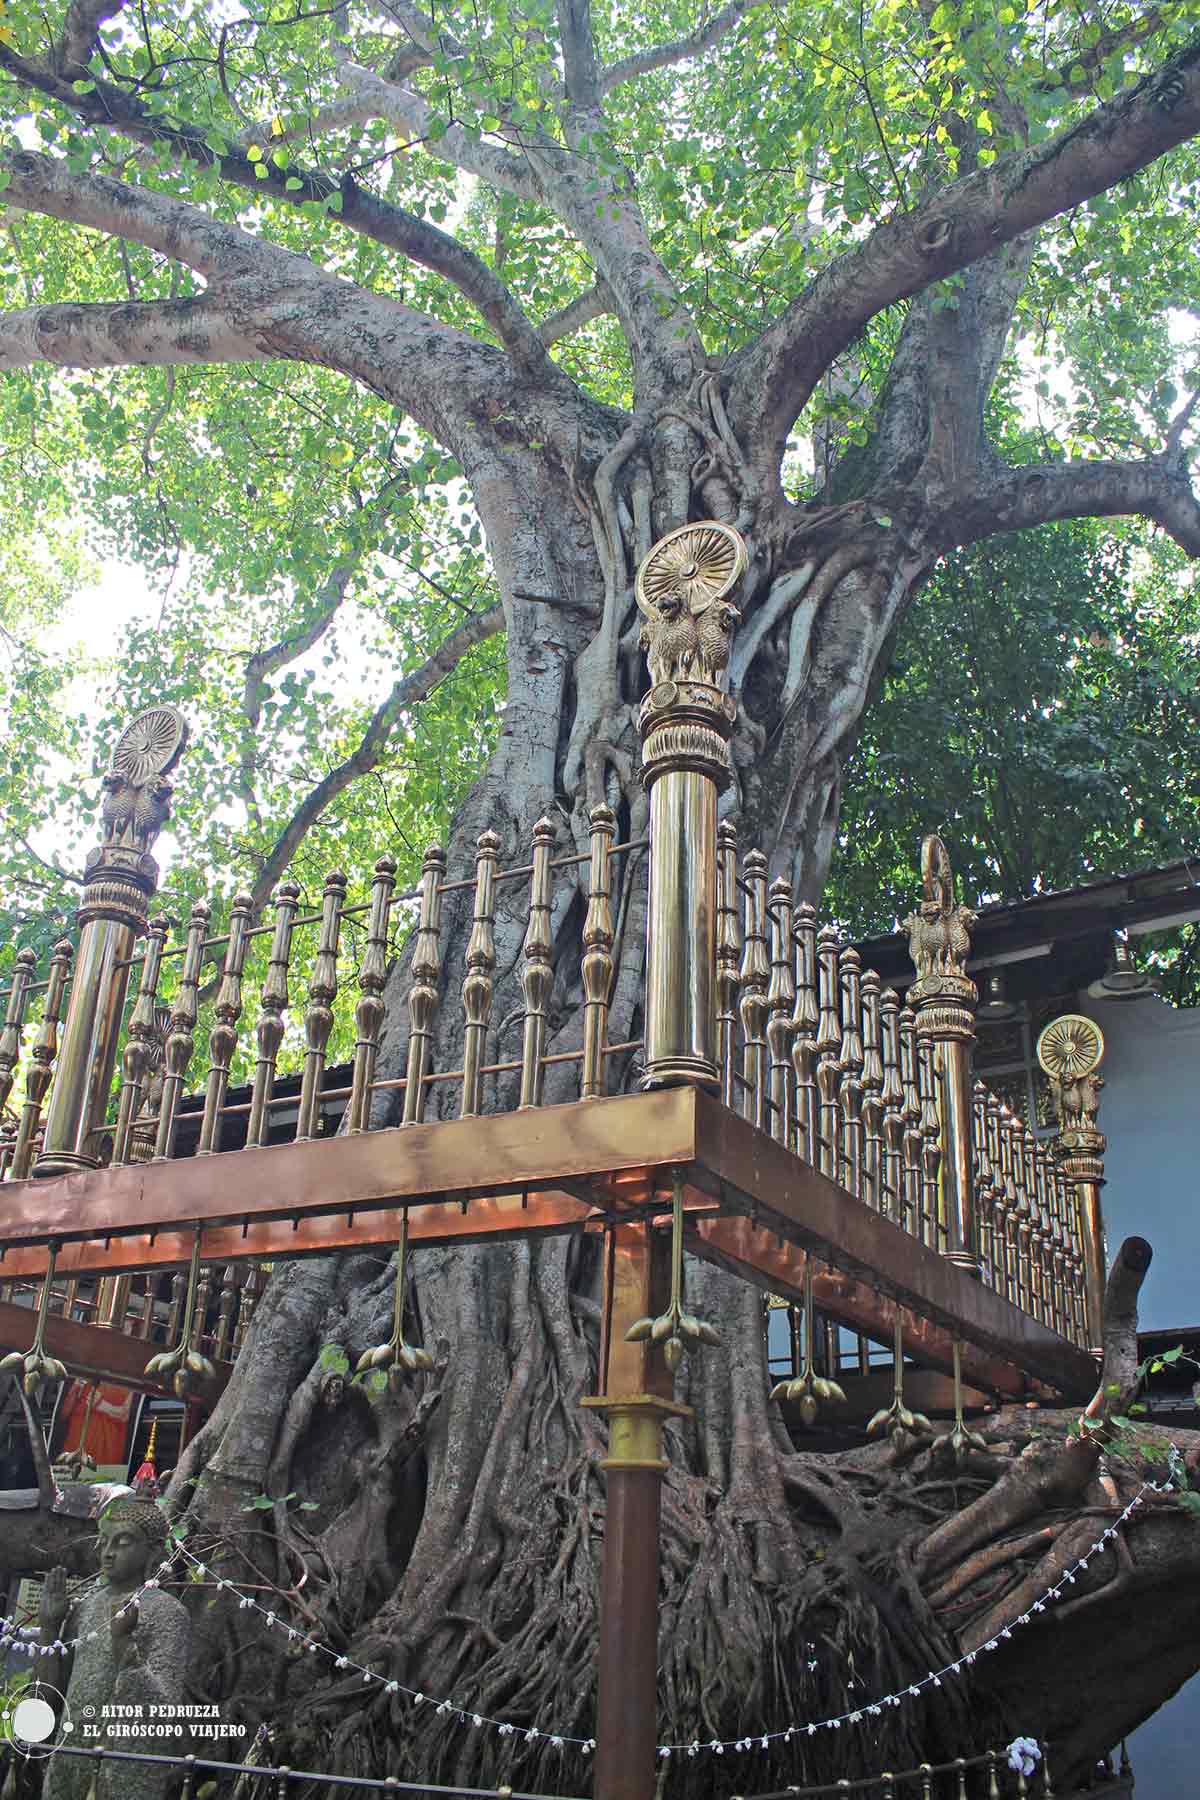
point(944, 998)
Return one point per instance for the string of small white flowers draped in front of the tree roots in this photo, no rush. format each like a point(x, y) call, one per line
point(719, 1747)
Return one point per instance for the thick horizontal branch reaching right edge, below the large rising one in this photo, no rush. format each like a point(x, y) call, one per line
point(1014, 499)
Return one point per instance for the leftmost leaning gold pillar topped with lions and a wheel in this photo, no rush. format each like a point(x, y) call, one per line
point(120, 877)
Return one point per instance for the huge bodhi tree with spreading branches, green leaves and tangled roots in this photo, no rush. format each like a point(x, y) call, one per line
point(620, 269)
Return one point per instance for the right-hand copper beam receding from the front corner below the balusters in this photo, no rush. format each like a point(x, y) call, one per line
point(760, 1178)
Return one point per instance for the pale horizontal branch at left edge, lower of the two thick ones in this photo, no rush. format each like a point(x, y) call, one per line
point(111, 337)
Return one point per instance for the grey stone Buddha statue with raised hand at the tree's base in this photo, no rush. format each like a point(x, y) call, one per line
point(129, 1657)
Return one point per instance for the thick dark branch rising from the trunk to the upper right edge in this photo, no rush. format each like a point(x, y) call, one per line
point(908, 253)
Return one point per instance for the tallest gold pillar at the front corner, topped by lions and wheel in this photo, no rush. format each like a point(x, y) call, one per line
point(686, 723)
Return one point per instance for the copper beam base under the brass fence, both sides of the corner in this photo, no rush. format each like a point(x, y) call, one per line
point(512, 1174)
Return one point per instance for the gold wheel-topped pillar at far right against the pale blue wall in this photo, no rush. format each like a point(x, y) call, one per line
point(1071, 1050)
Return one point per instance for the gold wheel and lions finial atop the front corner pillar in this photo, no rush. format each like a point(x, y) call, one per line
point(683, 593)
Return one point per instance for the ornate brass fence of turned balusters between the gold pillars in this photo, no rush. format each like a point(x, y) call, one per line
point(812, 1048)
